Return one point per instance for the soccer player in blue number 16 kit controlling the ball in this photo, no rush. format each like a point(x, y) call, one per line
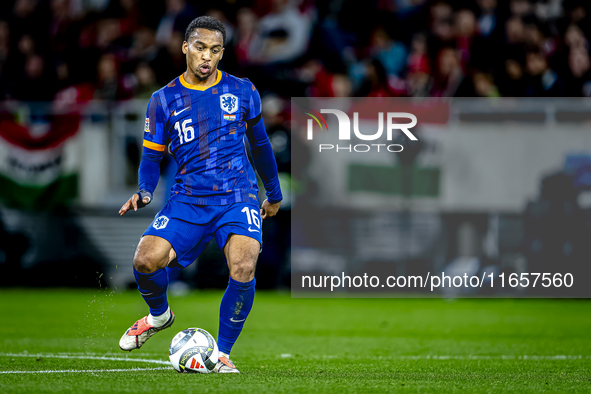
point(205, 114)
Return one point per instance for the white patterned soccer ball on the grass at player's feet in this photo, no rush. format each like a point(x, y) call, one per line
point(193, 350)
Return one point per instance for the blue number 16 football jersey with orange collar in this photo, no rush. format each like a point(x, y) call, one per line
point(206, 128)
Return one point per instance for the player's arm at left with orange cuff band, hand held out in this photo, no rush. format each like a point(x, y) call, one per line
point(154, 145)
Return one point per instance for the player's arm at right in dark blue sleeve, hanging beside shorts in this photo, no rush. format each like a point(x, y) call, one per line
point(264, 160)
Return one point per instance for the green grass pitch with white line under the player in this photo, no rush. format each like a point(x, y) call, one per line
point(300, 345)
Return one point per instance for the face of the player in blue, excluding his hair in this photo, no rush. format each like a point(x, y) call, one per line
point(203, 50)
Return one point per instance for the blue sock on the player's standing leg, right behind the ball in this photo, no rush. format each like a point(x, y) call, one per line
point(236, 304)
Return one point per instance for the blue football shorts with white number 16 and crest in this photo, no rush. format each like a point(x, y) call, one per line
point(189, 228)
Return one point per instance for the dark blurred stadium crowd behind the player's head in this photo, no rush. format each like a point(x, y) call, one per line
point(120, 49)
